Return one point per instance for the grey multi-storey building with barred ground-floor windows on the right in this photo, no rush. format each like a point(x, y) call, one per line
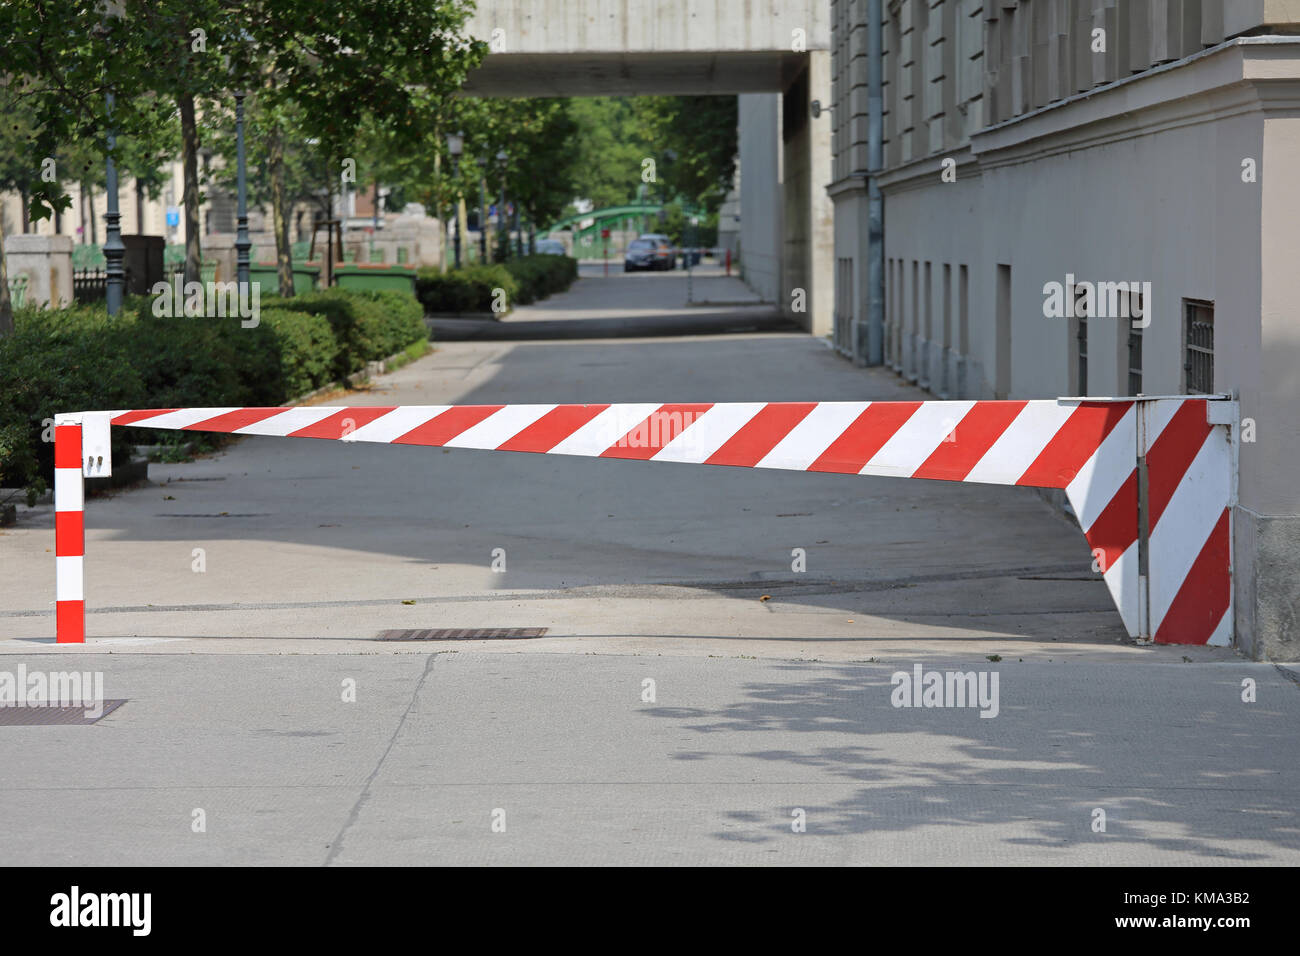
point(1110, 141)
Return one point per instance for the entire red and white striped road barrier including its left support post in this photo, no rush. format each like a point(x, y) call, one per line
point(1151, 481)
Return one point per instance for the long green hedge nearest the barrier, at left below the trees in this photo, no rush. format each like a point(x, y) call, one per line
point(77, 360)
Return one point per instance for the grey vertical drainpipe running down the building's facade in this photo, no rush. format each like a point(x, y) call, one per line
point(873, 351)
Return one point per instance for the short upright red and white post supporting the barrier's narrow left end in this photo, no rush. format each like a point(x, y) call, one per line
point(70, 535)
